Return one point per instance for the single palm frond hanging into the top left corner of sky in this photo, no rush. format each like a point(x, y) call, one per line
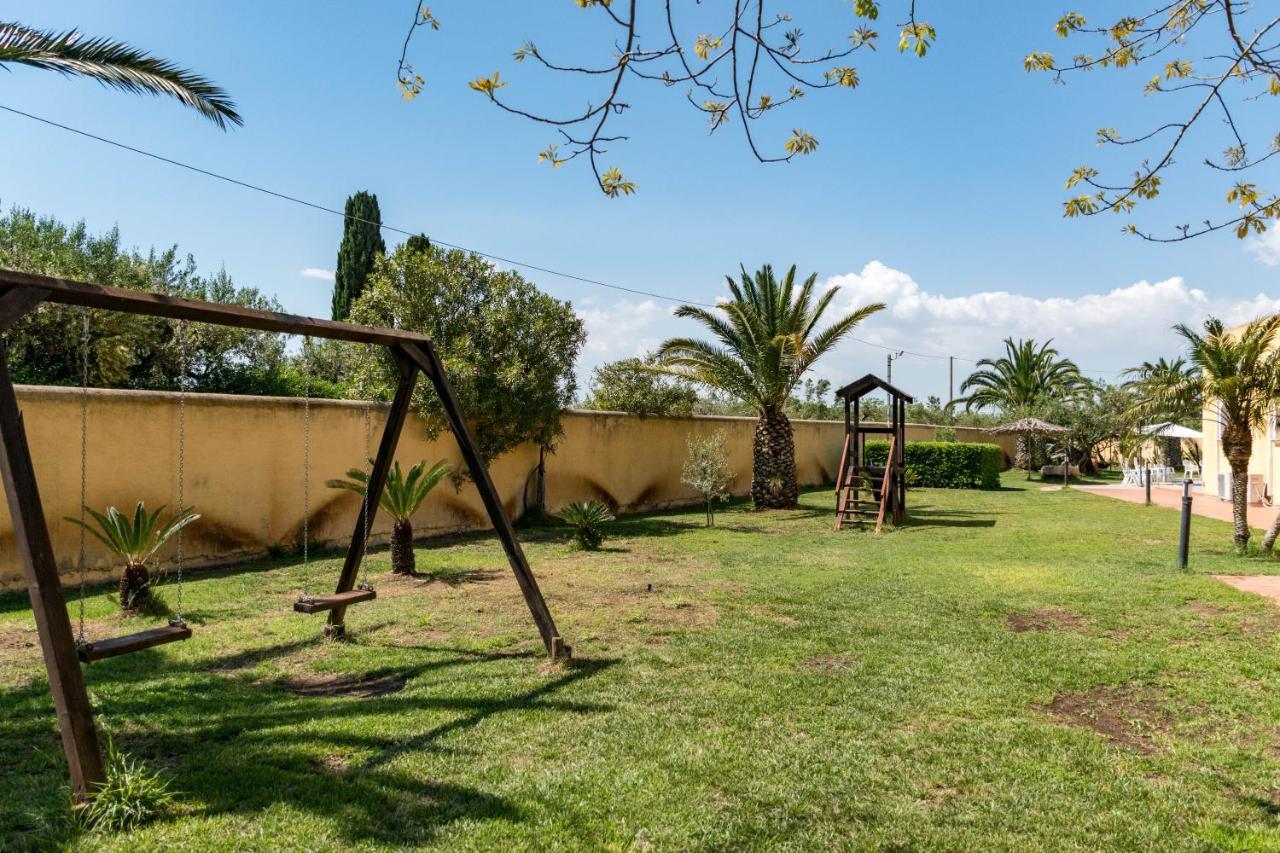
point(117, 65)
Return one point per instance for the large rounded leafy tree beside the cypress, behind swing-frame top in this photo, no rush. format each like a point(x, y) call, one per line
point(509, 348)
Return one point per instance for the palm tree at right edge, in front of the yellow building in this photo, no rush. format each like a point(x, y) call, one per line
point(1238, 373)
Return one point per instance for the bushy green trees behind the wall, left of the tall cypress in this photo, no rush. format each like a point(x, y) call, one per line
point(126, 350)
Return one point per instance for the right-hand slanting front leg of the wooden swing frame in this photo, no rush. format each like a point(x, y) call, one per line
point(426, 357)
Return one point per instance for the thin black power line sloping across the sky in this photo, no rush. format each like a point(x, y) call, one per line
point(405, 232)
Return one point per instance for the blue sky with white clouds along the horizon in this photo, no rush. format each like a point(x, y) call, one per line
point(938, 184)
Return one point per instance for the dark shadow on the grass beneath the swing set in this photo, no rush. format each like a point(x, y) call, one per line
point(240, 747)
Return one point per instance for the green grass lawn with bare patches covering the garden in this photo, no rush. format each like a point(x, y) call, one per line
point(1013, 670)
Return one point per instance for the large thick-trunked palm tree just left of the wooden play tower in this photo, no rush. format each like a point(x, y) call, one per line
point(767, 340)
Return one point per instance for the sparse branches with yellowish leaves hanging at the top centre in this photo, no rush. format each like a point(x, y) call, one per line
point(740, 72)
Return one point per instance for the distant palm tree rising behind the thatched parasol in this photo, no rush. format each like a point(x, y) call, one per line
point(1026, 380)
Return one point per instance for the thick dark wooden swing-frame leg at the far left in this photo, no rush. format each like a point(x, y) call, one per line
point(44, 587)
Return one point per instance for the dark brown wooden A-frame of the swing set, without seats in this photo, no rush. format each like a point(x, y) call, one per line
point(414, 354)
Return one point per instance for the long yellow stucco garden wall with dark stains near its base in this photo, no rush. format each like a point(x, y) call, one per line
point(245, 462)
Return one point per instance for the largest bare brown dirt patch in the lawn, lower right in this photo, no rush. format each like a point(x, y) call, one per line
point(1130, 718)
